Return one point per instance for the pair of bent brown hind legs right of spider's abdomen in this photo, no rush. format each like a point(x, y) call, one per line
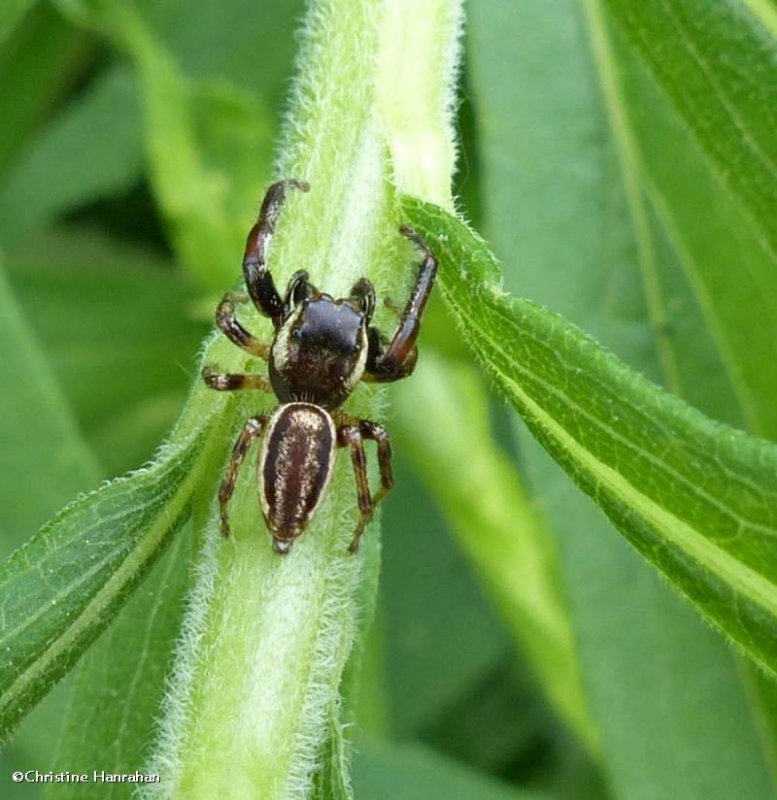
point(353, 436)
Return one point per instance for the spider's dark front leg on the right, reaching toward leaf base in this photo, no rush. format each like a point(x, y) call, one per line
point(397, 360)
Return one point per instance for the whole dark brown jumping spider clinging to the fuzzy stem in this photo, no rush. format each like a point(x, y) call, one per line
point(320, 350)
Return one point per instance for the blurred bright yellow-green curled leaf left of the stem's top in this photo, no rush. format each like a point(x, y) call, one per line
point(207, 185)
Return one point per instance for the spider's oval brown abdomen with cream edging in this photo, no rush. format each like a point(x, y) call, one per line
point(295, 466)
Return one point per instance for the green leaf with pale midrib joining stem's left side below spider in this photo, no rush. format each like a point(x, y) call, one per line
point(61, 589)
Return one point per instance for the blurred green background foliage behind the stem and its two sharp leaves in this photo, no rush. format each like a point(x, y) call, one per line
point(131, 165)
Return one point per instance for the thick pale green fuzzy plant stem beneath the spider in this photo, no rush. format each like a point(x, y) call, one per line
point(250, 713)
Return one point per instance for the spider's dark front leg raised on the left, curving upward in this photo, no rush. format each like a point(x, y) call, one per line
point(259, 281)
